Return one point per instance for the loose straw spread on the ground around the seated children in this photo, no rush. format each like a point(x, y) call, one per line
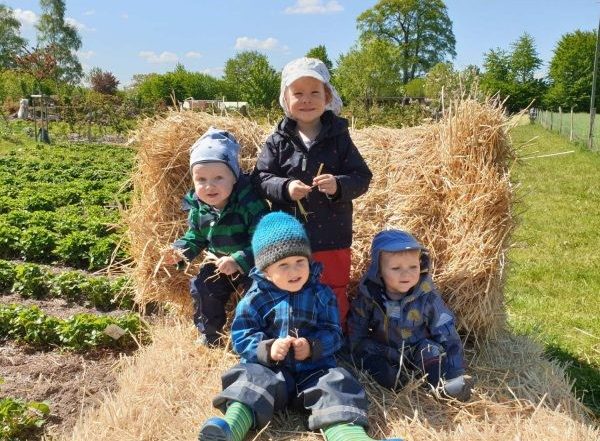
point(165, 392)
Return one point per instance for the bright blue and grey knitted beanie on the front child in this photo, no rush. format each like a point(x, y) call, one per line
point(277, 236)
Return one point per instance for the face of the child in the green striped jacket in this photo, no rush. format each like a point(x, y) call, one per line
point(213, 183)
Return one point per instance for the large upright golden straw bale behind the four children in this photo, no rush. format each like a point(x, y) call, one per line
point(447, 182)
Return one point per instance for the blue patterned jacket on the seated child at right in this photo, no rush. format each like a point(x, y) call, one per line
point(421, 314)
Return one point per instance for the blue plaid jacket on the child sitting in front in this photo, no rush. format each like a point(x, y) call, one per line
point(266, 313)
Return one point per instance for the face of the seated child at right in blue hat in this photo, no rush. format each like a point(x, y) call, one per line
point(400, 271)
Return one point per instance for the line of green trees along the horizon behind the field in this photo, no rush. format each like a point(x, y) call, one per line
point(404, 48)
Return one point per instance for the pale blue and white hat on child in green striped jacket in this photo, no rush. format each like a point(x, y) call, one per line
point(216, 145)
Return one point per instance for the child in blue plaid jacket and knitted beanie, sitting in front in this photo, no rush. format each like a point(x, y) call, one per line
point(286, 330)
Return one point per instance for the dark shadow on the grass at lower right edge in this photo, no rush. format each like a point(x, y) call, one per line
point(585, 376)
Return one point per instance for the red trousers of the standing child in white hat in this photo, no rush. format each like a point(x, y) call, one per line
point(336, 275)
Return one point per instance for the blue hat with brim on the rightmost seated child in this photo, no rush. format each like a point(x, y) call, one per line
point(393, 240)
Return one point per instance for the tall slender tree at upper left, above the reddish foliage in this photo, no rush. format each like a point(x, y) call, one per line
point(62, 37)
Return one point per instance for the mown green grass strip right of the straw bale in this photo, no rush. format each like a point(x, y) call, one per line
point(553, 287)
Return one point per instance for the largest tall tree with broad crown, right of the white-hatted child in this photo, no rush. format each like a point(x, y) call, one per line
point(421, 31)
